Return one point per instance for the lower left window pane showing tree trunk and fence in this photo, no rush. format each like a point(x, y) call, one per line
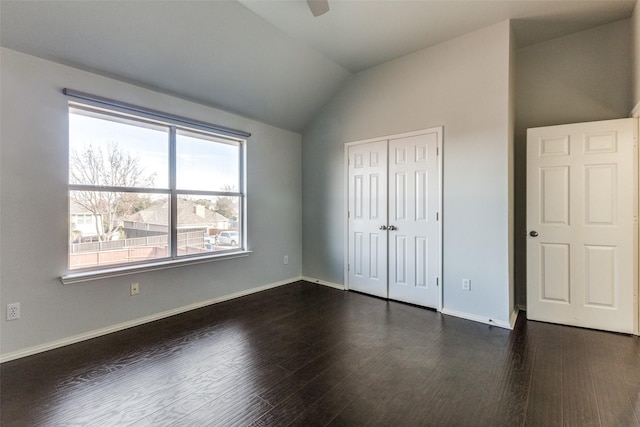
point(117, 228)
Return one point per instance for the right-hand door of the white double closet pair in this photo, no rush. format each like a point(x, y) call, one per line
point(413, 219)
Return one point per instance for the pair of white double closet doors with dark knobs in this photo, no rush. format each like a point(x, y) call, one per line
point(393, 219)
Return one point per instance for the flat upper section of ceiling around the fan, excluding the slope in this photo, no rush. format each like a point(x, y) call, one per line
point(358, 34)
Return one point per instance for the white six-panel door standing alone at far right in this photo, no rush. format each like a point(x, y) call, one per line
point(581, 221)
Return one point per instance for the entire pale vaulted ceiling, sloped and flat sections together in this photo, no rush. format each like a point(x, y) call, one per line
point(268, 60)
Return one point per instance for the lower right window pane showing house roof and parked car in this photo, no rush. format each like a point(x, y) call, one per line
point(208, 224)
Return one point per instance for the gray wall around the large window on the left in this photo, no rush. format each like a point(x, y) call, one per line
point(33, 215)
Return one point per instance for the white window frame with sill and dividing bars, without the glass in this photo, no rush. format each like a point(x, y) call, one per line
point(174, 124)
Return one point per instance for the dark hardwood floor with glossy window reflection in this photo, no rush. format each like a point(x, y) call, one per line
point(305, 354)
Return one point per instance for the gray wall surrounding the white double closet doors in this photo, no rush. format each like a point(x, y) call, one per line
point(463, 85)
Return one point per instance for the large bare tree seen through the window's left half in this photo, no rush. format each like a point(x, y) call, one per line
point(113, 168)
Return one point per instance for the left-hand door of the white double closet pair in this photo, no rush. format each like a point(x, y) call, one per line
point(367, 239)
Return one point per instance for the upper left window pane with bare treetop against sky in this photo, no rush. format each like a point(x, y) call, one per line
point(109, 151)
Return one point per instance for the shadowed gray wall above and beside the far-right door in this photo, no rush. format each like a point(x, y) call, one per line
point(582, 77)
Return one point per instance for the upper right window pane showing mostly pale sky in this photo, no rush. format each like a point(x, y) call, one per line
point(206, 163)
